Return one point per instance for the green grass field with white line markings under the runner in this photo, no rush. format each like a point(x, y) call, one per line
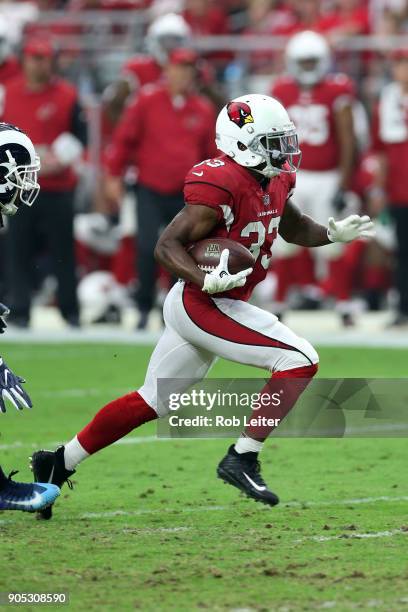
point(148, 526)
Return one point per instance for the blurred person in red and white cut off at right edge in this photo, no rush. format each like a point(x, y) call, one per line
point(390, 143)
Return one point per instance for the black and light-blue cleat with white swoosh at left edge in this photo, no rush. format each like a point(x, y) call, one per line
point(26, 497)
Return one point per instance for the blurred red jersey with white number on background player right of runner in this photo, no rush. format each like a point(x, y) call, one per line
point(313, 110)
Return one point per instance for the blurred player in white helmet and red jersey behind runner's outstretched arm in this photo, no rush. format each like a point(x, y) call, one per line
point(321, 106)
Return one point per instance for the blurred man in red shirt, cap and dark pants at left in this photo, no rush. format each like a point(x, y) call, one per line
point(47, 107)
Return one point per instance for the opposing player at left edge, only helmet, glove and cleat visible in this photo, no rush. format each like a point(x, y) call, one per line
point(18, 185)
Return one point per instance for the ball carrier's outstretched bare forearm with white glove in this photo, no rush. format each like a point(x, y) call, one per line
point(298, 228)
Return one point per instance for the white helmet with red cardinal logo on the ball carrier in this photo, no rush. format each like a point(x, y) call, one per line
point(256, 132)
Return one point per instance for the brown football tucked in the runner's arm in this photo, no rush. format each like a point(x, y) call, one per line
point(206, 253)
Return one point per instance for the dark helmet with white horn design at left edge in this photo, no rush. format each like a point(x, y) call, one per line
point(19, 166)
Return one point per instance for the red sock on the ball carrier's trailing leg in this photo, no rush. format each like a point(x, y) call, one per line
point(114, 421)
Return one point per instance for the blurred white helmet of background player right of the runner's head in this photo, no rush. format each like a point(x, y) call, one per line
point(308, 57)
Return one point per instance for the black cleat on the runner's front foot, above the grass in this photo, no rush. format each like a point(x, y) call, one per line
point(243, 471)
